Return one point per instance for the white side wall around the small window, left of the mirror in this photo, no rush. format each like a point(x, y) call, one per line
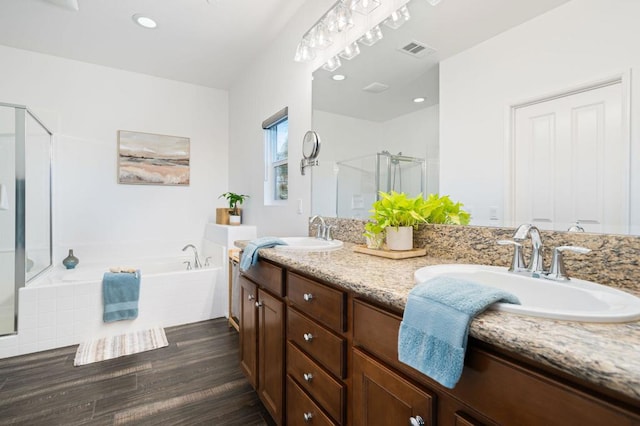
point(270, 83)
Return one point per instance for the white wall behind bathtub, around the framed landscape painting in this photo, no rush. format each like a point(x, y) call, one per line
point(85, 105)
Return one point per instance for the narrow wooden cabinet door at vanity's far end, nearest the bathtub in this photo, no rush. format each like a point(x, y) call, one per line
point(248, 330)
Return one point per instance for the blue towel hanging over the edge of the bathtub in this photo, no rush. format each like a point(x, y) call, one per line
point(120, 293)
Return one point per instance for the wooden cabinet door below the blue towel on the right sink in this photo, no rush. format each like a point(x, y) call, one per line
point(382, 397)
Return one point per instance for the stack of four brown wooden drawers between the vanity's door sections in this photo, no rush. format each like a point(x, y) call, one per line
point(316, 352)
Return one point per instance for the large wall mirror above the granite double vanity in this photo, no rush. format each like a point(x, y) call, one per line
point(526, 114)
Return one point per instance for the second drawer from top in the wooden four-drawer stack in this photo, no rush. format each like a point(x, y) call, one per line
point(324, 346)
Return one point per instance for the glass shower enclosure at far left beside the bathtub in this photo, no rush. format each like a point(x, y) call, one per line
point(25, 206)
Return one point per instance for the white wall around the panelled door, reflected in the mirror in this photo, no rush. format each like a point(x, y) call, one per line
point(578, 43)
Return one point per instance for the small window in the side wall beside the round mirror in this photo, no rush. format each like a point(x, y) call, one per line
point(276, 129)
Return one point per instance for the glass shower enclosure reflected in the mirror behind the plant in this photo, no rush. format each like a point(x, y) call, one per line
point(359, 180)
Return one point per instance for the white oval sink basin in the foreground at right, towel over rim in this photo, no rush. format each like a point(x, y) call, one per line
point(576, 300)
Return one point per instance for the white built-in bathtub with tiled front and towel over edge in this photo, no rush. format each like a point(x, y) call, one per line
point(64, 307)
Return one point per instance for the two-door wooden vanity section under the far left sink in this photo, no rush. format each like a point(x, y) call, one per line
point(262, 335)
